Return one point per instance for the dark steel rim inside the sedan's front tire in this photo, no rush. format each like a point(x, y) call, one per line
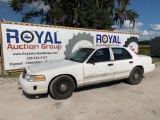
point(62, 87)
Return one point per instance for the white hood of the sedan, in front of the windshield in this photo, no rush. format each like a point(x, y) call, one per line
point(44, 66)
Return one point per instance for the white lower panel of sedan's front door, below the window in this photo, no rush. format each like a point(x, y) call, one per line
point(98, 72)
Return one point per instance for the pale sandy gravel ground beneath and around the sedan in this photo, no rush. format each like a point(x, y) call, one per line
point(110, 101)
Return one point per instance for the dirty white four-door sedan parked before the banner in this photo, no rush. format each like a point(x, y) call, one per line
point(85, 66)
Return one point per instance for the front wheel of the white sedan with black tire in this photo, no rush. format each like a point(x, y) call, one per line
point(62, 87)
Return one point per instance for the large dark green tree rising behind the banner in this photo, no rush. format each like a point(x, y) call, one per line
point(99, 14)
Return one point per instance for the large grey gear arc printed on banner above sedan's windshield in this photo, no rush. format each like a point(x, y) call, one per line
point(76, 39)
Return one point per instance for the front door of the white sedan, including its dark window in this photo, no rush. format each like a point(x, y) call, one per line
point(99, 67)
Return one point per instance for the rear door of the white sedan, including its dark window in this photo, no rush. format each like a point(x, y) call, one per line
point(123, 63)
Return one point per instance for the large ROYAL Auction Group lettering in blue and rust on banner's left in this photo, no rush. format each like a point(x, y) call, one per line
point(24, 40)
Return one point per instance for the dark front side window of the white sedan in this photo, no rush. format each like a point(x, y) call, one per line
point(101, 55)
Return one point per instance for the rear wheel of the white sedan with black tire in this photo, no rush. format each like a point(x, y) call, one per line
point(136, 76)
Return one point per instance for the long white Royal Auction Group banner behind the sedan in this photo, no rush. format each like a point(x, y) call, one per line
point(27, 45)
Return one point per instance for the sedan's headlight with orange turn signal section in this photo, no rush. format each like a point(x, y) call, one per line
point(33, 78)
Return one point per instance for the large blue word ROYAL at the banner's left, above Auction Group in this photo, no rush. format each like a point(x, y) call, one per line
point(30, 36)
